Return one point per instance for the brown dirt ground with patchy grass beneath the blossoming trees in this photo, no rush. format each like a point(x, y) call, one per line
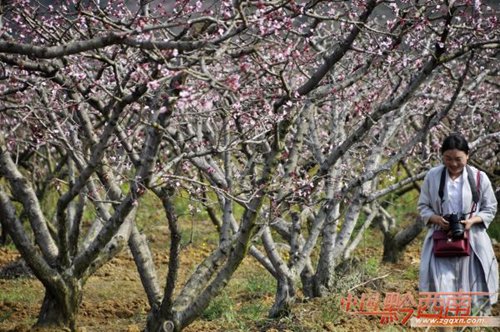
point(114, 299)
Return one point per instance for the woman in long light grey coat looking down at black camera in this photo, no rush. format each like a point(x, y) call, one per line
point(479, 271)
